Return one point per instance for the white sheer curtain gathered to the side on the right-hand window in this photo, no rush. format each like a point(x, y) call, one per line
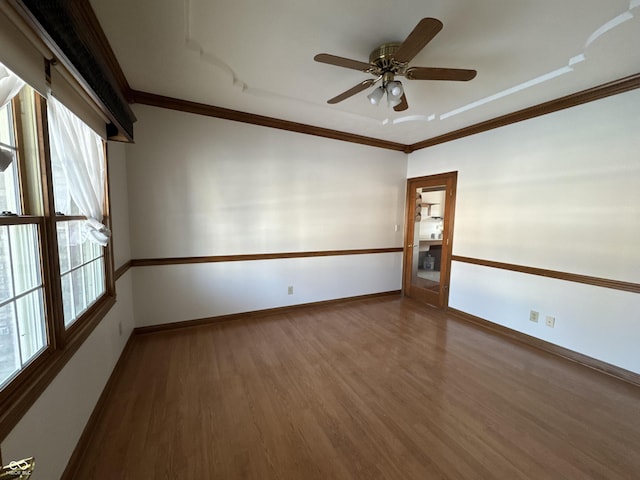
point(80, 152)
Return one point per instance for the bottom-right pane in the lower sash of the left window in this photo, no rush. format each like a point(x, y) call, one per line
point(31, 324)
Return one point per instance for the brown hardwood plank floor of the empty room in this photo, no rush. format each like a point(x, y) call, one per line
point(382, 388)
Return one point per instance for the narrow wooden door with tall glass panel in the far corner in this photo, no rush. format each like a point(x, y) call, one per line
point(429, 238)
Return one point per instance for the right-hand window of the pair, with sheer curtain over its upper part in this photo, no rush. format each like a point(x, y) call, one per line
point(78, 166)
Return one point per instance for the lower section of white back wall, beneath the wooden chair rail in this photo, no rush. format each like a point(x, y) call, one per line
point(176, 293)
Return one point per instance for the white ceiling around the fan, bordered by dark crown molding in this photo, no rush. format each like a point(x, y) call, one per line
point(256, 56)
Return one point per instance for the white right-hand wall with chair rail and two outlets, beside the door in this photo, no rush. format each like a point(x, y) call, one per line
point(559, 192)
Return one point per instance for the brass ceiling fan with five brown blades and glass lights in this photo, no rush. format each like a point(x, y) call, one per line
point(392, 59)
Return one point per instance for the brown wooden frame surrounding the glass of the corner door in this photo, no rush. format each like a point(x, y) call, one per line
point(450, 180)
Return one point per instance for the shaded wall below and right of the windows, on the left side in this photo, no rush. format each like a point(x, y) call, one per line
point(51, 428)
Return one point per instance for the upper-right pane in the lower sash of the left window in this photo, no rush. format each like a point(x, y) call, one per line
point(25, 254)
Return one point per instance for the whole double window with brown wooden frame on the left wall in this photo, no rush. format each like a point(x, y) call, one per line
point(56, 273)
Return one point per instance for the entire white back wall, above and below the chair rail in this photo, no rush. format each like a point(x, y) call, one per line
point(205, 186)
